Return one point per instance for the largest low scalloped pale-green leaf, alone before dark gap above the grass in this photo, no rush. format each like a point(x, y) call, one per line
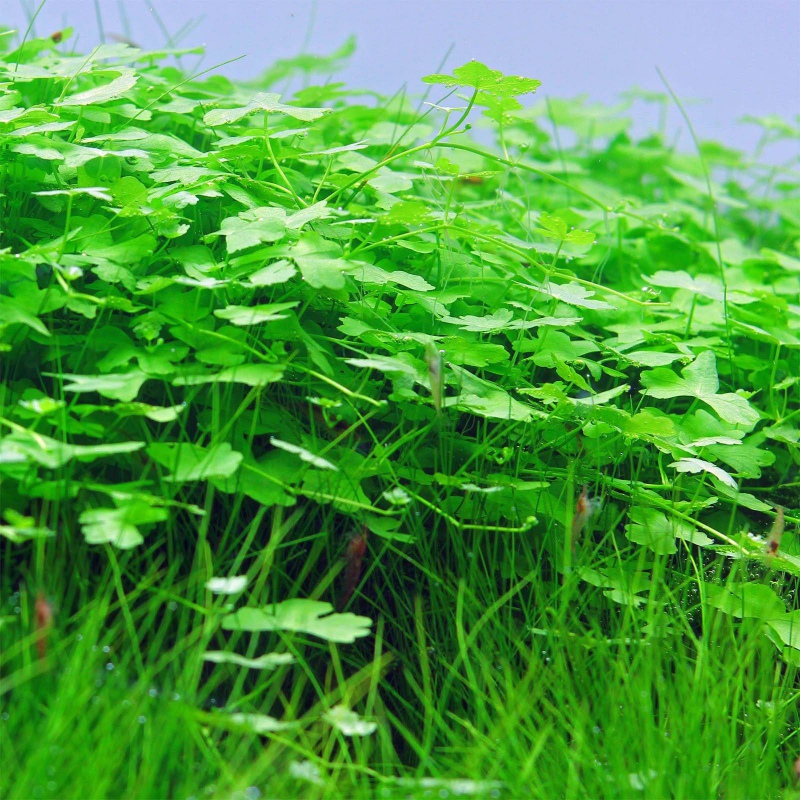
point(304, 616)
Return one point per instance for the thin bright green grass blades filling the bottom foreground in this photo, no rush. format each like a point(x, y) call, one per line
point(637, 706)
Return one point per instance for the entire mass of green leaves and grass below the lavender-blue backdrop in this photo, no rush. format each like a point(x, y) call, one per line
point(542, 395)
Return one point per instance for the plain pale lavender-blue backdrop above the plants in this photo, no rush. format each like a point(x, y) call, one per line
point(725, 58)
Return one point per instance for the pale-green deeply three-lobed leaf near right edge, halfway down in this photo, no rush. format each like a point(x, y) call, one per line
point(700, 381)
